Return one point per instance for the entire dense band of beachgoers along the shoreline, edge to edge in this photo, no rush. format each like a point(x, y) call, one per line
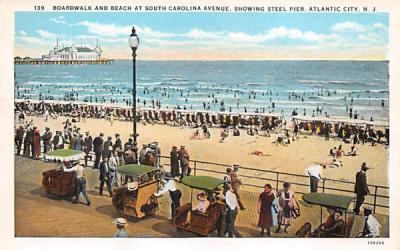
point(255, 124)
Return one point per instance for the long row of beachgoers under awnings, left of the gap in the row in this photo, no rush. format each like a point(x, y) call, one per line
point(175, 117)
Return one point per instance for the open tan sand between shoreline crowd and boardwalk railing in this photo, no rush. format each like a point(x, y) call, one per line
point(293, 158)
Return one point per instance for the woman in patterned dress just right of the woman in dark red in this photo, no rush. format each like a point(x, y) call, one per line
point(285, 200)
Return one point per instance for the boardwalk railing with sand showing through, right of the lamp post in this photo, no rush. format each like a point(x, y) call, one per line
point(256, 178)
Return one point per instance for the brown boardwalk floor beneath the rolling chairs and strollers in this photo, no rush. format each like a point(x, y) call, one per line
point(37, 214)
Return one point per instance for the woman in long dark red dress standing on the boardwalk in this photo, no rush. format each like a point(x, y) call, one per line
point(265, 201)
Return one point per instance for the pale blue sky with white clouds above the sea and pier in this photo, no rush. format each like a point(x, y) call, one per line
point(209, 36)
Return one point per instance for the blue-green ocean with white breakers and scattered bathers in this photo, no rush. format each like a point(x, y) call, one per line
point(270, 86)
